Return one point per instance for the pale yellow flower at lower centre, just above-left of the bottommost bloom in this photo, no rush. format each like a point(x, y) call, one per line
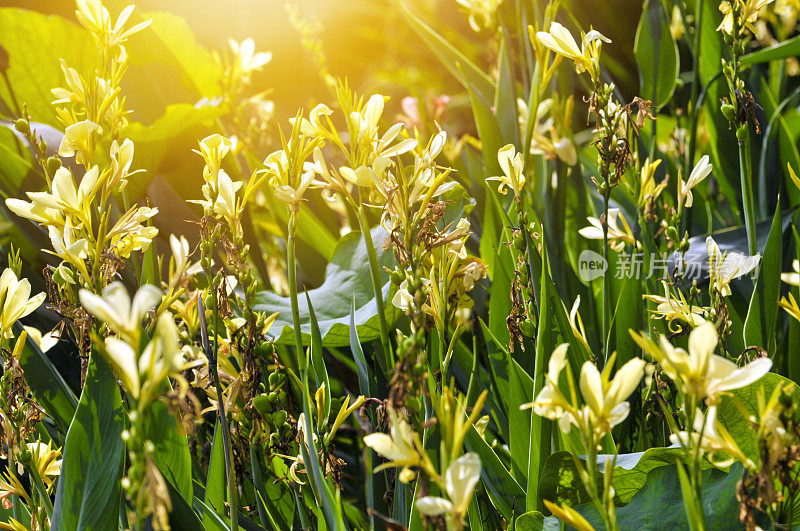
point(402, 447)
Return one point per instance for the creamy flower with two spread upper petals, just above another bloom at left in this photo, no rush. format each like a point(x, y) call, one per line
point(116, 309)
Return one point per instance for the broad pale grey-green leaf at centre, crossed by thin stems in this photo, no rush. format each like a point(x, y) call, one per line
point(347, 279)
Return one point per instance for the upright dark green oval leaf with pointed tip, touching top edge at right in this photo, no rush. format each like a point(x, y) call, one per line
point(656, 54)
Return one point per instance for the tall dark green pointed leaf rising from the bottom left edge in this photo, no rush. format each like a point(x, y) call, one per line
point(89, 493)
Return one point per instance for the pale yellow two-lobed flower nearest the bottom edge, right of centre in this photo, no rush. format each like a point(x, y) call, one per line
point(460, 479)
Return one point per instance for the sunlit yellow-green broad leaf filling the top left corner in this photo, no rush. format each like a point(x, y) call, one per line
point(35, 43)
